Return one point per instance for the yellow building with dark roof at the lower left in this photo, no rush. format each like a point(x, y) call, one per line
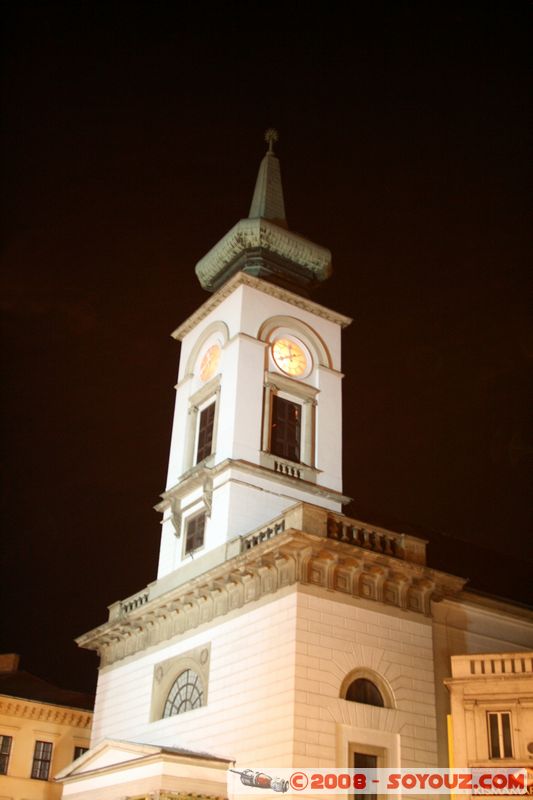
point(43, 729)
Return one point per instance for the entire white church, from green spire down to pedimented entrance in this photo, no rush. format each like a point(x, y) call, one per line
point(278, 631)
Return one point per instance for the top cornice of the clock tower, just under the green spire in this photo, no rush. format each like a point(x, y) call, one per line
point(242, 279)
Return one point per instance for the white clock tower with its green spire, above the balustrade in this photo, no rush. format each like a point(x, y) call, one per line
point(257, 423)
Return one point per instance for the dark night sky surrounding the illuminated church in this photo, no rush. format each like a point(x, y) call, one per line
point(132, 137)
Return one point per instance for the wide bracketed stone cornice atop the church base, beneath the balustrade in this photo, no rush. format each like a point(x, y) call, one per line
point(289, 558)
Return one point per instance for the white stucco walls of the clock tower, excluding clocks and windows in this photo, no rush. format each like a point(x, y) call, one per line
point(243, 319)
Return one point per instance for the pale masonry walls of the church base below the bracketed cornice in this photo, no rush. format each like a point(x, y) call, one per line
point(275, 677)
